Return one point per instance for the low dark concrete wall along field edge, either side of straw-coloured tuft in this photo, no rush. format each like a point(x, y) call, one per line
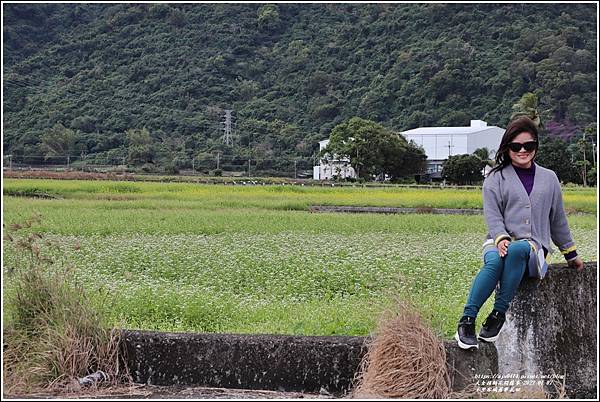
point(309, 364)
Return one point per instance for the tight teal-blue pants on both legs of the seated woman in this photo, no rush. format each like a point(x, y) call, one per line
point(508, 270)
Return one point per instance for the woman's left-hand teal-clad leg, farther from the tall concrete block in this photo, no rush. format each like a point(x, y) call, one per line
point(484, 283)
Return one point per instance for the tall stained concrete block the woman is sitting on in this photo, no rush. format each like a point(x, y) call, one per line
point(552, 329)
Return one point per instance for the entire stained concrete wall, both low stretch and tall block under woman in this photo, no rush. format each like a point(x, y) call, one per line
point(551, 327)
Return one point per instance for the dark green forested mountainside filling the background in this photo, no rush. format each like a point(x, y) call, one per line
point(289, 72)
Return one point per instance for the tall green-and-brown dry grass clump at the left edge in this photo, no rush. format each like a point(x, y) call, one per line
point(54, 335)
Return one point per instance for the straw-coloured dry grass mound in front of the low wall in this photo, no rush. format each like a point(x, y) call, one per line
point(405, 359)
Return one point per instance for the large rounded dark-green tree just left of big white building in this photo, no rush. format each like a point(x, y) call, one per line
point(374, 150)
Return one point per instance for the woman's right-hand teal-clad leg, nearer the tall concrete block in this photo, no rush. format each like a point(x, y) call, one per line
point(515, 263)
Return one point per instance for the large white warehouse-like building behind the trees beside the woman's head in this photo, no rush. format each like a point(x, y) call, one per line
point(441, 142)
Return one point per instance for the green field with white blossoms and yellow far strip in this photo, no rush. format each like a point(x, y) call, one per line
point(252, 259)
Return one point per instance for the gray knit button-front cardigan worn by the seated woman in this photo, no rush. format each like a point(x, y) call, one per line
point(512, 214)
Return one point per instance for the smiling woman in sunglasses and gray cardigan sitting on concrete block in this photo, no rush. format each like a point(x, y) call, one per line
point(523, 208)
